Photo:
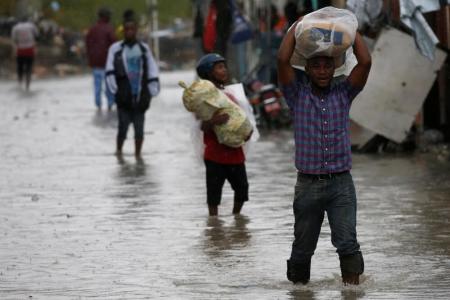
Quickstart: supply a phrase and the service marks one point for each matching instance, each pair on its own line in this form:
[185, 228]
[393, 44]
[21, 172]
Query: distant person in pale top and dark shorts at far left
[24, 35]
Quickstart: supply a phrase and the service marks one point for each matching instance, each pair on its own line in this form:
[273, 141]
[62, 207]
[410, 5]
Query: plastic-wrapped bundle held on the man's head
[328, 31]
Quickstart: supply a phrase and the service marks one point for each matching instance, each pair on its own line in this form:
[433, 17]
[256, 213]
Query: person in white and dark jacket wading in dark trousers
[132, 75]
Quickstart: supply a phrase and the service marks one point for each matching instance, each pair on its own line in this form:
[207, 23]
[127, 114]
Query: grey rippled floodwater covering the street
[78, 223]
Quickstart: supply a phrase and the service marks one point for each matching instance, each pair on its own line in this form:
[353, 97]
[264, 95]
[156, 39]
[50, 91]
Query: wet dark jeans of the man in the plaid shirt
[313, 197]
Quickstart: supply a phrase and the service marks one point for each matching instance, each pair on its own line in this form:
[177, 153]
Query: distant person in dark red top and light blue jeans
[98, 40]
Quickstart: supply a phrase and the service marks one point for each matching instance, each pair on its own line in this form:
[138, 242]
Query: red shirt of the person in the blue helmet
[219, 153]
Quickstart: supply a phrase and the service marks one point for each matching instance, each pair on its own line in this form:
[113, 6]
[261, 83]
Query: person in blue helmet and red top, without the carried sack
[221, 162]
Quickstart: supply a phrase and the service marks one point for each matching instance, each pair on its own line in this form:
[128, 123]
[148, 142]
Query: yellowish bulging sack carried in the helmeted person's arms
[205, 100]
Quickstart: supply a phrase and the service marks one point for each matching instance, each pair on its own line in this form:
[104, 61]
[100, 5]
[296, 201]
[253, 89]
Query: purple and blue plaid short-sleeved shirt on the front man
[321, 125]
